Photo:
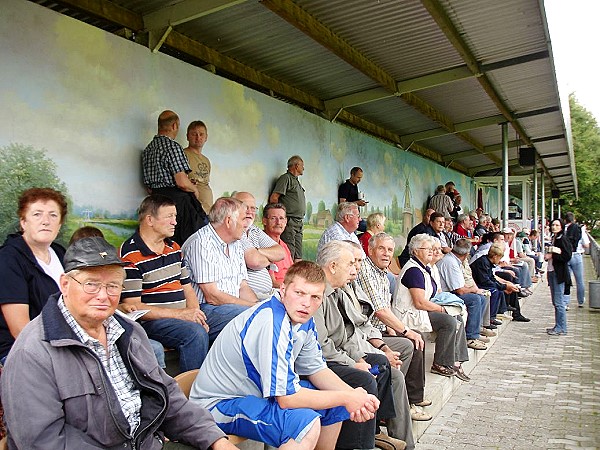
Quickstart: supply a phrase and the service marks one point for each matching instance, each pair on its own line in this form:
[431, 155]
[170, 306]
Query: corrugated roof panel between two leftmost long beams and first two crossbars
[254, 36]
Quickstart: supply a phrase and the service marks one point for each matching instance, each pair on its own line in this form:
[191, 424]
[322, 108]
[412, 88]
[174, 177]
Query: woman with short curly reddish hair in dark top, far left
[30, 262]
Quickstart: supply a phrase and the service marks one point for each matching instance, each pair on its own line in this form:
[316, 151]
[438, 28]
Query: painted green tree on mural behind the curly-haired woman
[23, 167]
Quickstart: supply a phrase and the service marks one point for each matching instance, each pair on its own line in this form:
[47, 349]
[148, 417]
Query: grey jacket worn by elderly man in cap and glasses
[56, 394]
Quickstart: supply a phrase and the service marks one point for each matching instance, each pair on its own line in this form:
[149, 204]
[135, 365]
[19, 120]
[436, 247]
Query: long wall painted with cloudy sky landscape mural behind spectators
[80, 104]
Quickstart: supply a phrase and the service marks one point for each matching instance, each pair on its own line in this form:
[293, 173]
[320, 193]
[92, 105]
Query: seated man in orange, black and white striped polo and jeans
[158, 280]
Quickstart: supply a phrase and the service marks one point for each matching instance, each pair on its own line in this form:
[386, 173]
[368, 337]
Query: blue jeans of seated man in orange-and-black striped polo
[188, 338]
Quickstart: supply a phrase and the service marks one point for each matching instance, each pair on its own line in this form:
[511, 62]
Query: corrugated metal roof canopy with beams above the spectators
[436, 77]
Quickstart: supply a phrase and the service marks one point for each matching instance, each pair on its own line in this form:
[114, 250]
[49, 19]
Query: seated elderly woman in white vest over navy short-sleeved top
[412, 305]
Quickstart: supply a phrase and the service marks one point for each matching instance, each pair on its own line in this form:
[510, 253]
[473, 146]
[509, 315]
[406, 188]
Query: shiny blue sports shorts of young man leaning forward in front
[263, 420]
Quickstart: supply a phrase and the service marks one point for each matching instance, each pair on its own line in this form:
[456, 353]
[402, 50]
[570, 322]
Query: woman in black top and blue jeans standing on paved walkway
[558, 255]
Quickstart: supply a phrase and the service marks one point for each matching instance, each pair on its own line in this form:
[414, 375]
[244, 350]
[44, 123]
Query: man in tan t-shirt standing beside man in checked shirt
[197, 135]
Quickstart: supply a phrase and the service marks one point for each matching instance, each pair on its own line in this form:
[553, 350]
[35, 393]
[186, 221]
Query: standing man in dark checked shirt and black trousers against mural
[165, 168]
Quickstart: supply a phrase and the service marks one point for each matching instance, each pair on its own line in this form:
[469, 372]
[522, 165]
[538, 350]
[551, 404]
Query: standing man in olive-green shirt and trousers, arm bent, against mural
[290, 193]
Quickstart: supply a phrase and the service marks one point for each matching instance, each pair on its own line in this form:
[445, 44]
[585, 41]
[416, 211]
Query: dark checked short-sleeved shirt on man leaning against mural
[161, 160]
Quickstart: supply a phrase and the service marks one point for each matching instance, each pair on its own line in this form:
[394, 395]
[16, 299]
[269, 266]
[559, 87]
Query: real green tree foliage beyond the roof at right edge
[586, 145]
